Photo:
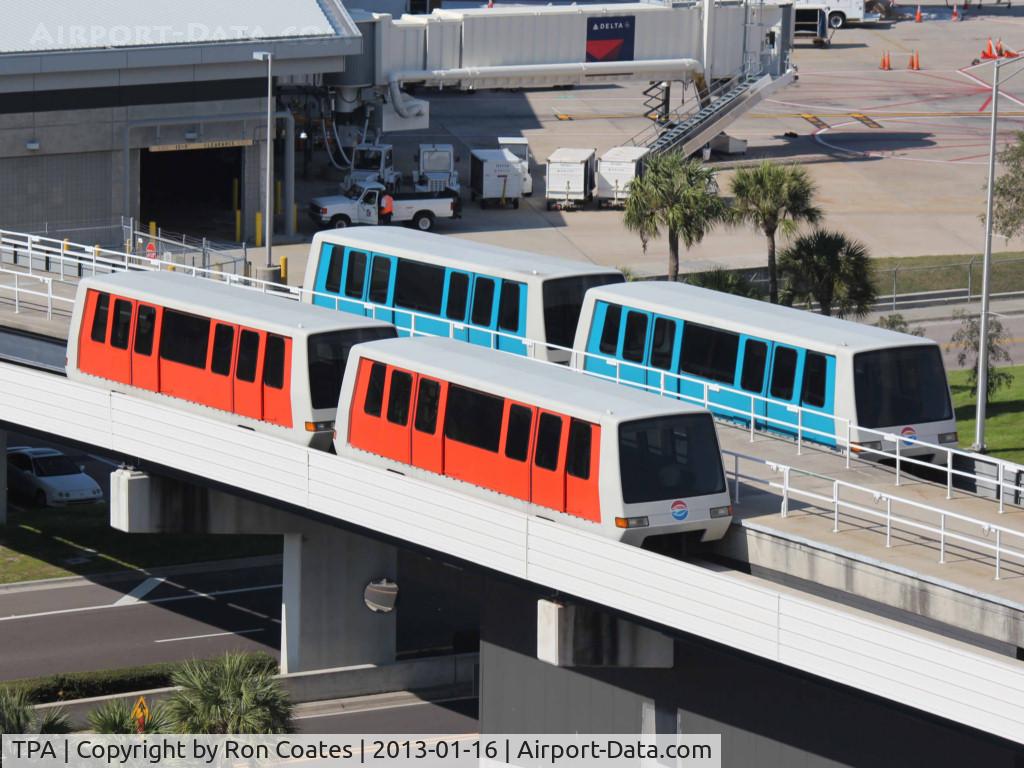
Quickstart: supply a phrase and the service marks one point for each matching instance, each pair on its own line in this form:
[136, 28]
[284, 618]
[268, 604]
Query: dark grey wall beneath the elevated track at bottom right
[770, 716]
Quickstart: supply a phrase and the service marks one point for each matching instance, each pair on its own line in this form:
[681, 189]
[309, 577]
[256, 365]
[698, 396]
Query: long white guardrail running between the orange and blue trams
[68, 260]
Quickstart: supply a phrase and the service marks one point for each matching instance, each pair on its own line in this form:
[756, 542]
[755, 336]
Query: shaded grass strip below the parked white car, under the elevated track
[46, 544]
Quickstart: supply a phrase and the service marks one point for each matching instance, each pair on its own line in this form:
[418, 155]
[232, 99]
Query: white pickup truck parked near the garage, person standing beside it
[362, 206]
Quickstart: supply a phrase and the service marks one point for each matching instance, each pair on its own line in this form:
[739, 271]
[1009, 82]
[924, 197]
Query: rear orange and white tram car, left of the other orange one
[264, 363]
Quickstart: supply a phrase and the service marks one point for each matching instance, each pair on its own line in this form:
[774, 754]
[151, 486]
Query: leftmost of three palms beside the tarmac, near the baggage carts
[678, 195]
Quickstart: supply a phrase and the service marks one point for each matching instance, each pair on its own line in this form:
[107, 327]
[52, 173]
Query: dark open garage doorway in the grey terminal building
[191, 191]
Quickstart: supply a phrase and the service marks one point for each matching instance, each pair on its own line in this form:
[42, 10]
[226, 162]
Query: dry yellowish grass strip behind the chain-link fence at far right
[919, 274]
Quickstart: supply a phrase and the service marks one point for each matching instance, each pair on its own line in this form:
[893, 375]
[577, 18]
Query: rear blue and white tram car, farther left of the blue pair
[443, 286]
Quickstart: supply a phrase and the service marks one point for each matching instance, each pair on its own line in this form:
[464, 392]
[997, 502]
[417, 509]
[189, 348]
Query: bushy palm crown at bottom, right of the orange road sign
[234, 695]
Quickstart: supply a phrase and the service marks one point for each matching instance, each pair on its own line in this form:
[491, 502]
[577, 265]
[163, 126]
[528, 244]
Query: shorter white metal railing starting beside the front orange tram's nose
[992, 541]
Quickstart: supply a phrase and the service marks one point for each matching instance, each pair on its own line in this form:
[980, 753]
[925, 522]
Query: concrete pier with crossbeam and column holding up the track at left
[326, 621]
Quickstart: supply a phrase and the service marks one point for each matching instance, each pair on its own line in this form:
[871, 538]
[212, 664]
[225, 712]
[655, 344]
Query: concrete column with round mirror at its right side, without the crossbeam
[325, 621]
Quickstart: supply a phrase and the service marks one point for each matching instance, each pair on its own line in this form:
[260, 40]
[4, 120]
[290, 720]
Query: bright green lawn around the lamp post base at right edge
[1004, 433]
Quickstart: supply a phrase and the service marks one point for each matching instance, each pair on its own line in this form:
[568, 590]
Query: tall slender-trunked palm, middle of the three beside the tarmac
[773, 198]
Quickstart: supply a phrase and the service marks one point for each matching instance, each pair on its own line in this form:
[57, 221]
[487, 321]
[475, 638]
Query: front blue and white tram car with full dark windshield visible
[785, 368]
